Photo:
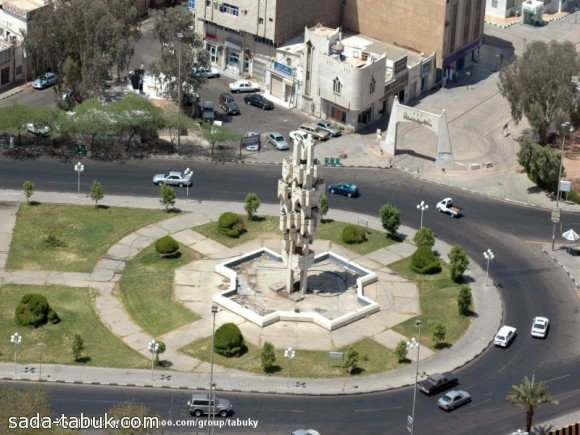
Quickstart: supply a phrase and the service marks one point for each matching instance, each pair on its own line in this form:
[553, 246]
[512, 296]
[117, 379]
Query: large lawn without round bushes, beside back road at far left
[71, 238]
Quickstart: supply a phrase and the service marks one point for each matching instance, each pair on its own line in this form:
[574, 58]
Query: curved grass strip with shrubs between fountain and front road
[306, 364]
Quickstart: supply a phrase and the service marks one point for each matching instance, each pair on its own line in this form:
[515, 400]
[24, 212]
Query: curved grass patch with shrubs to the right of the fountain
[438, 301]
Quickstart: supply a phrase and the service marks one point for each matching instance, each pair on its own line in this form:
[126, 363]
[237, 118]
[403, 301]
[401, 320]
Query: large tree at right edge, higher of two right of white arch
[536, 90]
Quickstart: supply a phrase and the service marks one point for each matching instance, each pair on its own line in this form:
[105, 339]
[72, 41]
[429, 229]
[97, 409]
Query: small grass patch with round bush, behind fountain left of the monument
[260, 226]
